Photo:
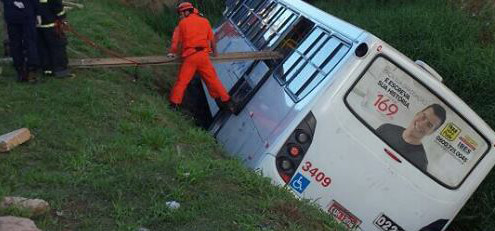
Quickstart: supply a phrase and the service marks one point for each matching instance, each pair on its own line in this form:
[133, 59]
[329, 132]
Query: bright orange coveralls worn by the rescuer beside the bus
[193, 35]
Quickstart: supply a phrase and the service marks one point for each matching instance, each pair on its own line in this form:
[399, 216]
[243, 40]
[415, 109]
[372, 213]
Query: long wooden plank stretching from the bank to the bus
[163, 60]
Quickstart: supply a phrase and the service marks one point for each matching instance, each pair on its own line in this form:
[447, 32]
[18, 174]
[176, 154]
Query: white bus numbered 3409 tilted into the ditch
[346, 120]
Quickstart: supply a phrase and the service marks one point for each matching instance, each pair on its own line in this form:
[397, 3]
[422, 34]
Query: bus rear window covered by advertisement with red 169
[415, 123]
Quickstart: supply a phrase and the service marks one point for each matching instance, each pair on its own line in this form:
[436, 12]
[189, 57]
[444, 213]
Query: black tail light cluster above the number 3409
[292, 153]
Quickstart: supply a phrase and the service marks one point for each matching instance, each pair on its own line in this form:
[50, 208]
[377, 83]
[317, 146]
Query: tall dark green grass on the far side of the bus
[459, 44]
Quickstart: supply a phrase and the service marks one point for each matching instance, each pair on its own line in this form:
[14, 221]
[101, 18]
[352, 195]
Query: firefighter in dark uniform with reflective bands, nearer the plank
[52, 40]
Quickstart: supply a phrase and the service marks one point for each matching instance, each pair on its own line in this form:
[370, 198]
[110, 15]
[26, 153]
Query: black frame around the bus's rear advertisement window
[441, 99]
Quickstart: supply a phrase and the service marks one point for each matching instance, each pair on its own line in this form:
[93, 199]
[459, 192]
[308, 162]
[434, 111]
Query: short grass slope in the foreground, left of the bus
[108, 153]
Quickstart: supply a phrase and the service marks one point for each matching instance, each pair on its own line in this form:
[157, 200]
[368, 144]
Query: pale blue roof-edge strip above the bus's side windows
[342, 27]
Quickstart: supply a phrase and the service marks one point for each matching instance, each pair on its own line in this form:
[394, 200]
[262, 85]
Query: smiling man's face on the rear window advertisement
[425, 123]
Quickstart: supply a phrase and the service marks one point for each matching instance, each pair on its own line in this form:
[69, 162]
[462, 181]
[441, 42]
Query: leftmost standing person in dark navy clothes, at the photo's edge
[20, 16]
